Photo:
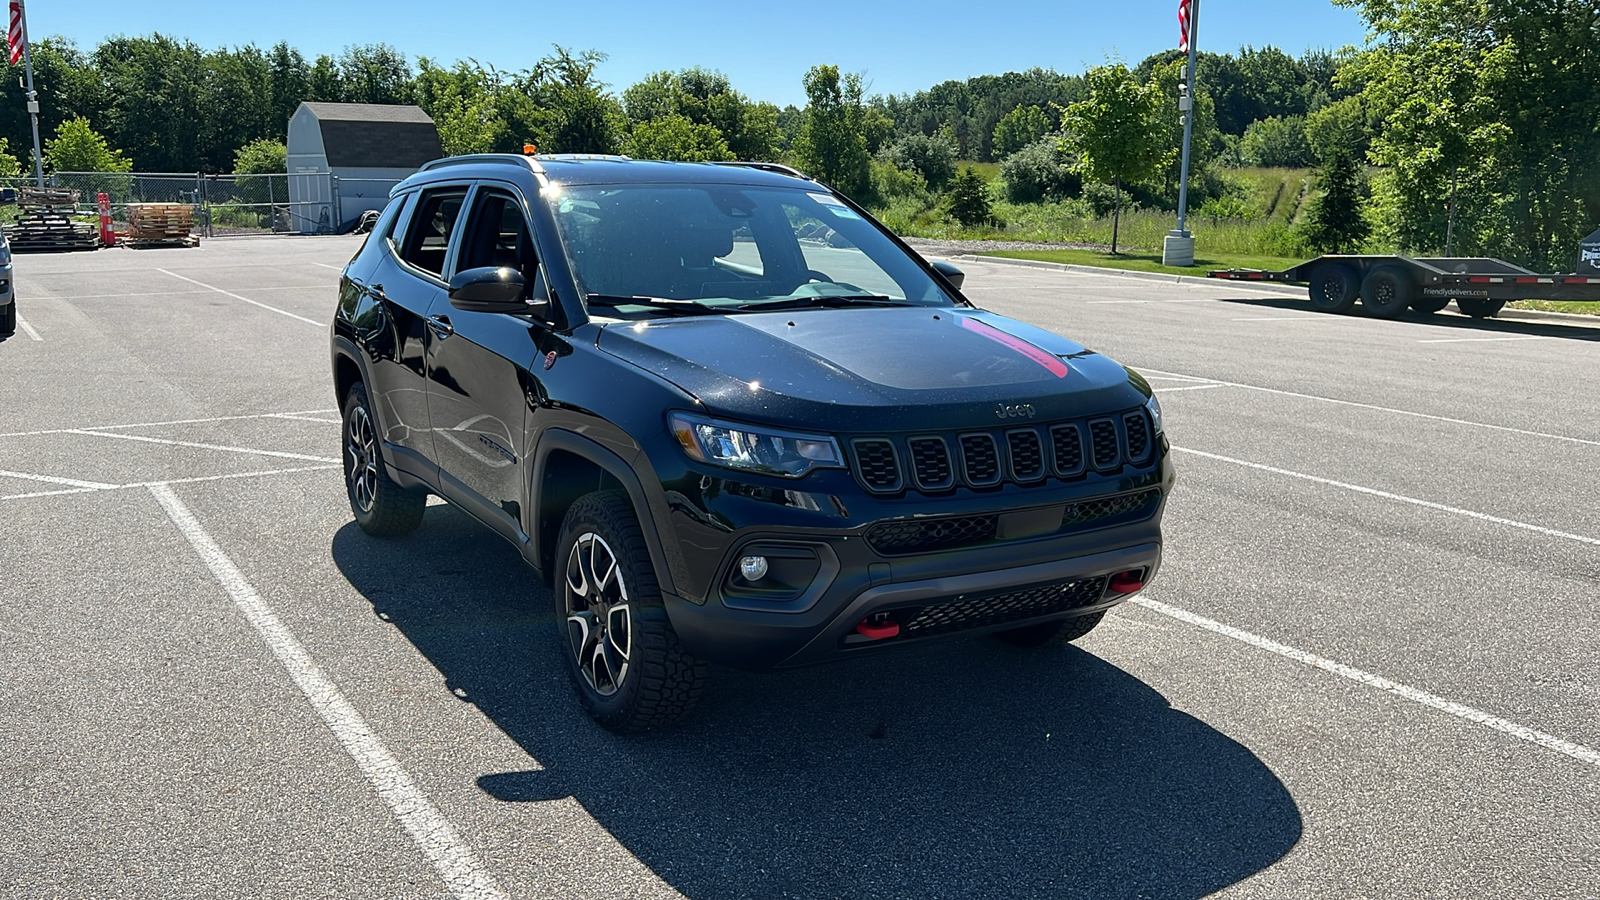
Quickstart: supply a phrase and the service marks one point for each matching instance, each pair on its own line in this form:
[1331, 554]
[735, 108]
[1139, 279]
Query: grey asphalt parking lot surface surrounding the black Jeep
[1367, 670]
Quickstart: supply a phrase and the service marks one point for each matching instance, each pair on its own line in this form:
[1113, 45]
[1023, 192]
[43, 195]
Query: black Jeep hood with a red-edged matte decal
[876, 369]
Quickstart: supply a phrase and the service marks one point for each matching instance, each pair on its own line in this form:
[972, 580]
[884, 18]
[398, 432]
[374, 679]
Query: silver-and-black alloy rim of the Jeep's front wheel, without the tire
[599, 616]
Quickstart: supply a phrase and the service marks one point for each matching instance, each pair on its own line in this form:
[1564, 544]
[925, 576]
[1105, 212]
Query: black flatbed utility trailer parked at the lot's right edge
[1388, 286]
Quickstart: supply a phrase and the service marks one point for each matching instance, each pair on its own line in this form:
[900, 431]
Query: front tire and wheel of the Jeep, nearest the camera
[606, 584]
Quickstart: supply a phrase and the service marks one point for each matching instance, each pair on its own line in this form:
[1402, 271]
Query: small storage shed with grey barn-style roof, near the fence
[345, 158]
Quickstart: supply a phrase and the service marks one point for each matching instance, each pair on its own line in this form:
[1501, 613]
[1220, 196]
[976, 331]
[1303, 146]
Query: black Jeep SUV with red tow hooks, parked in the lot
[729, 417]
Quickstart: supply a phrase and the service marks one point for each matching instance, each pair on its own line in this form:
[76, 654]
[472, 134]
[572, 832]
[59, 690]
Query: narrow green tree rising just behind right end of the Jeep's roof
[833, 147]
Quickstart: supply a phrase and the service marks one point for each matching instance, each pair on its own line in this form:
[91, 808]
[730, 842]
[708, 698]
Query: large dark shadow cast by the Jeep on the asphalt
[959, 769]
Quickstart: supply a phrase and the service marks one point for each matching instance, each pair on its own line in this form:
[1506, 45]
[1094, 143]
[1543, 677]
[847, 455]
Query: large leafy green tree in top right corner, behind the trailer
[1489, 118]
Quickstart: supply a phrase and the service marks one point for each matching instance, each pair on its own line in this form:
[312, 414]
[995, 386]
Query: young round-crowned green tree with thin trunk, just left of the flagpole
[1116, 132]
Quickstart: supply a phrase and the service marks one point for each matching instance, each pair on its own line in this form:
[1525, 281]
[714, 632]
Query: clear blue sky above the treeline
[766, 49]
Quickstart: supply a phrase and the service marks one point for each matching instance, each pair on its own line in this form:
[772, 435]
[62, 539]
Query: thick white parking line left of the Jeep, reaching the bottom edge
[434, 835]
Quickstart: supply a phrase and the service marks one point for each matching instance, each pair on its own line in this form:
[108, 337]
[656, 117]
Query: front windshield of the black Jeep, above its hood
[732, 247]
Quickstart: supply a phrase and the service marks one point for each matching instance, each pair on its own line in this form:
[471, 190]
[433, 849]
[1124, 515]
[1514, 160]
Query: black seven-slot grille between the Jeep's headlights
[1020, 456]
